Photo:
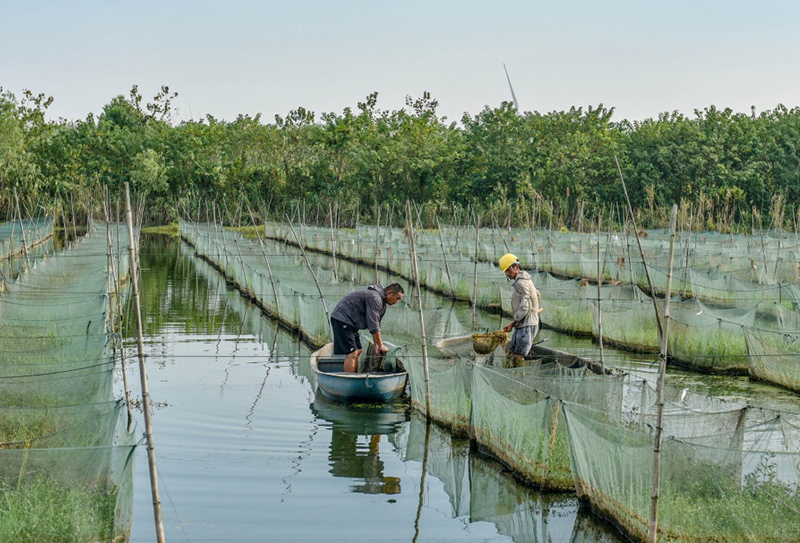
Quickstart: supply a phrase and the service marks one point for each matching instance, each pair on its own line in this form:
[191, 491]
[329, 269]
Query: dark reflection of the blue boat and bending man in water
[356, 434]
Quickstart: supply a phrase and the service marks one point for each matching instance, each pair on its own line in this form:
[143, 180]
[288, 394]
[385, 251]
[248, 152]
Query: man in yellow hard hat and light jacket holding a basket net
[525, 309]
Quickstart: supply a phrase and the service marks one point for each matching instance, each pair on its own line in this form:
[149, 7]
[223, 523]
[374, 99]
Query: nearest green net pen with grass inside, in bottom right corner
[707, 492]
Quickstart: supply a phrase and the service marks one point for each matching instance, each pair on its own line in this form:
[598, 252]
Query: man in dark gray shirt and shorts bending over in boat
[361, 310]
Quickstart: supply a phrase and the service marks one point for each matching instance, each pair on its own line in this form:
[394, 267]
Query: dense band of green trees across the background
[722, 167]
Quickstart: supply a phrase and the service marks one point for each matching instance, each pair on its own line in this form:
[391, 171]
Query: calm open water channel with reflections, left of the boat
[247, 452]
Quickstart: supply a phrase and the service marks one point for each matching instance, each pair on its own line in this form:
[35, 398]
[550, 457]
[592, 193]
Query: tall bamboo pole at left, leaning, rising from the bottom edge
[148, 423]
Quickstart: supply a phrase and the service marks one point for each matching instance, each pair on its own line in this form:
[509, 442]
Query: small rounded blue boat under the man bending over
[339, 385]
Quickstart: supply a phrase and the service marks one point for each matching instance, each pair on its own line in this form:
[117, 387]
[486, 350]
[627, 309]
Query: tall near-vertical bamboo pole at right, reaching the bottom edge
[662, 370]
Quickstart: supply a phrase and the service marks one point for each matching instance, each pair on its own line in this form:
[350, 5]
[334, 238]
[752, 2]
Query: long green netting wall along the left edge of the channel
[65, 454]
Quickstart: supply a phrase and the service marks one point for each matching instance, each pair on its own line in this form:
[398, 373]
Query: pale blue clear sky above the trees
[230, 57]
